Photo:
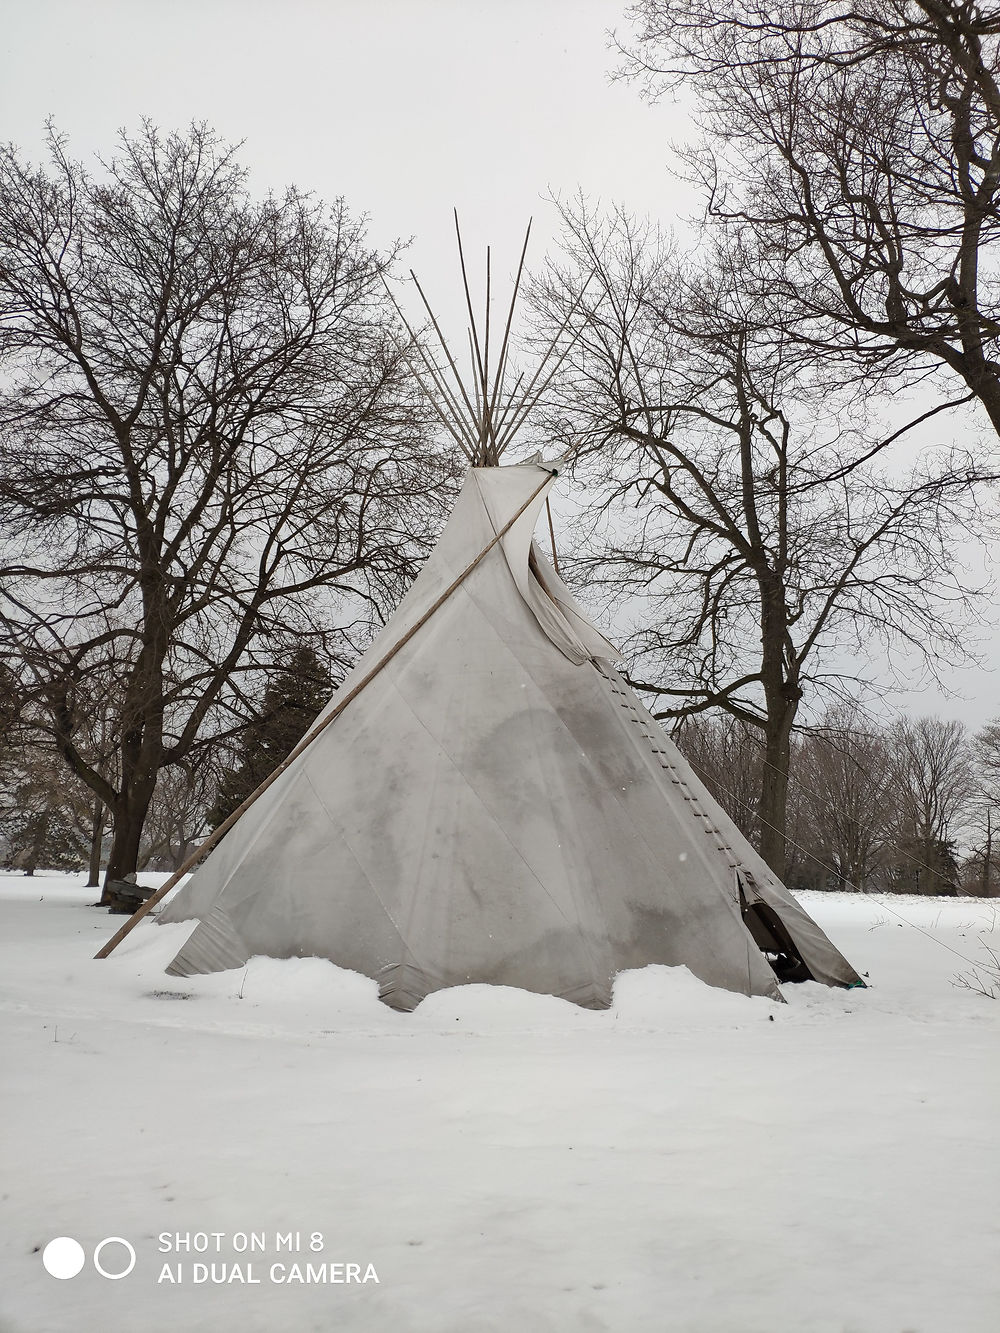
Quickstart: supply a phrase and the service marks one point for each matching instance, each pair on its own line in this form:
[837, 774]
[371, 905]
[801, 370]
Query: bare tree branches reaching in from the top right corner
[859, 146]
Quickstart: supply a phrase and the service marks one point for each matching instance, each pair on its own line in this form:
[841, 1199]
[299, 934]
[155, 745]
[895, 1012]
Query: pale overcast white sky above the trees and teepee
[405, 107]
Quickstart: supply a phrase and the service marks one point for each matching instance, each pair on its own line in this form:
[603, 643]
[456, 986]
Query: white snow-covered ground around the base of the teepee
[691, 1160]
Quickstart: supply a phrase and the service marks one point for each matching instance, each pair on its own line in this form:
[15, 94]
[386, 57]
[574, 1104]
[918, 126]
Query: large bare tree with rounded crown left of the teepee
[209, 446]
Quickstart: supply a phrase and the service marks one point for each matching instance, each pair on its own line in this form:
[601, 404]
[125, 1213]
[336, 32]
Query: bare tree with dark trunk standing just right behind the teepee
[759, 519]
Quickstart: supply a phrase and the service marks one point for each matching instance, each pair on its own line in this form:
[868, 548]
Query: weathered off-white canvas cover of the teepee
[495, 807]
